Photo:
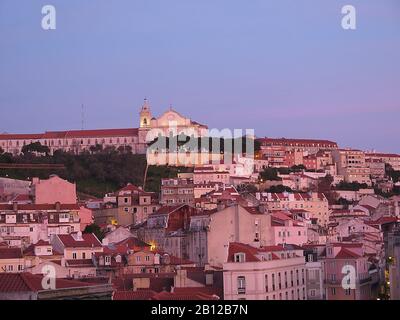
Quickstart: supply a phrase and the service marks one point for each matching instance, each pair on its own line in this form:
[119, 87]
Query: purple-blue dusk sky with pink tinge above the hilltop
[285, 68]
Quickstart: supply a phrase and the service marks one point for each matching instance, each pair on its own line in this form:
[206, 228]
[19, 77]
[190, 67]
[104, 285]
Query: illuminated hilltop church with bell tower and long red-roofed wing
[78, 141]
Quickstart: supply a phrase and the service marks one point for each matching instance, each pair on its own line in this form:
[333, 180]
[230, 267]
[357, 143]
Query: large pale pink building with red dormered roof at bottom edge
[264, 273]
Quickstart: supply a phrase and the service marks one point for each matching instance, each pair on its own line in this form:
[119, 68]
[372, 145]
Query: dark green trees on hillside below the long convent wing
[95, 172]
